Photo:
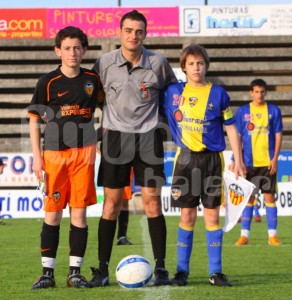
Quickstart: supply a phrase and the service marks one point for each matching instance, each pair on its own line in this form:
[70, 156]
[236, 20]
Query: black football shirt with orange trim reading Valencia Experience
[67, 106]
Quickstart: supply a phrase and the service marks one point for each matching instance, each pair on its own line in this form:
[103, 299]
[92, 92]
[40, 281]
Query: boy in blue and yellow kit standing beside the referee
[196, 112]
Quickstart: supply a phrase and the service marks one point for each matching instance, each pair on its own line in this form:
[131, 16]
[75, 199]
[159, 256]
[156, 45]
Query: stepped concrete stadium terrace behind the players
[235, 61]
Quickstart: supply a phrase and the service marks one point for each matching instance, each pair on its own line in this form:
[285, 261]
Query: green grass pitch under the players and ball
[257, 271]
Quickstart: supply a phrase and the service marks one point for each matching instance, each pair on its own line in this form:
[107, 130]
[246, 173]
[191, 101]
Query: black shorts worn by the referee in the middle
[120, 151]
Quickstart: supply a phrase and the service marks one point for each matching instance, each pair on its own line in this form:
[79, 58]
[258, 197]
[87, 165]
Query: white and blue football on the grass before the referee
[133, 271]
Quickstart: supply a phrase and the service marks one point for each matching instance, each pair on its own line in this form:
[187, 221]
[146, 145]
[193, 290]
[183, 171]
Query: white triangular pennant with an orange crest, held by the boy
[237, 193]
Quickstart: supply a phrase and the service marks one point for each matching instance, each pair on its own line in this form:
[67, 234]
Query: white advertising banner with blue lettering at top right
[235, 20]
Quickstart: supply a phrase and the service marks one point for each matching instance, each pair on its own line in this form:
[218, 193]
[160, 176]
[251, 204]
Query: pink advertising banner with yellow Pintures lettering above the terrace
[105, 22]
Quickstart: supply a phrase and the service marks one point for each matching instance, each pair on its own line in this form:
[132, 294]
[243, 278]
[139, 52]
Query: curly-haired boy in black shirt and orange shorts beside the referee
[65, 100]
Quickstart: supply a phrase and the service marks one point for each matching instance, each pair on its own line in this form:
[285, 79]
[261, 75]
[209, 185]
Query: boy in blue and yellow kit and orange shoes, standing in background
[260, 128]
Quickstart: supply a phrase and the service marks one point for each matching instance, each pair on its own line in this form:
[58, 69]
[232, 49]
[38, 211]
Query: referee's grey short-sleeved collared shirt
[132, 94]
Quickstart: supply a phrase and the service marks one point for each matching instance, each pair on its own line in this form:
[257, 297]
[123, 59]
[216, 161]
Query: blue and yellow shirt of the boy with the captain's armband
[196, 115]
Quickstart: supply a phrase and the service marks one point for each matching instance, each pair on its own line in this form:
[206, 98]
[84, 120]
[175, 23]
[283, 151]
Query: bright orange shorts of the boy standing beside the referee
[69, 178]
